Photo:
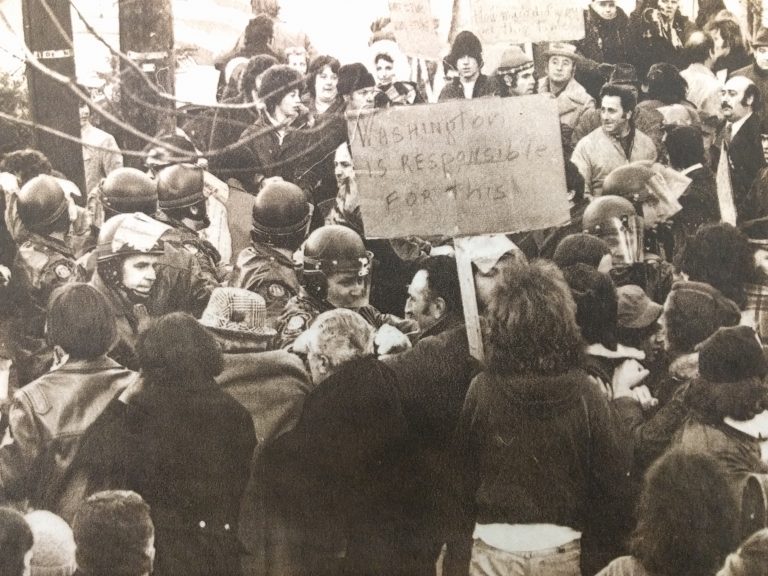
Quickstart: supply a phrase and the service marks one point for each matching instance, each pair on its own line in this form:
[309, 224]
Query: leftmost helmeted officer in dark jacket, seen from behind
[44, 261]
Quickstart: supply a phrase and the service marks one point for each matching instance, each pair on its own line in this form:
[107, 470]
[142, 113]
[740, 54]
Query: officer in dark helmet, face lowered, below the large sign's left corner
[335, 273]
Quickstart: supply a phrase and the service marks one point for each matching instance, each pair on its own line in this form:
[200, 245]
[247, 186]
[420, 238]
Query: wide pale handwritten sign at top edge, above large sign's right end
[528, 20]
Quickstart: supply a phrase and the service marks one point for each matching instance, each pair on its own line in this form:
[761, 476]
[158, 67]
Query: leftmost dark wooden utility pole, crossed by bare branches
[53, 104]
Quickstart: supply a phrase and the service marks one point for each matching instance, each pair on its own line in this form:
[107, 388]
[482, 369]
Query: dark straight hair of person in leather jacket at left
[81, 321]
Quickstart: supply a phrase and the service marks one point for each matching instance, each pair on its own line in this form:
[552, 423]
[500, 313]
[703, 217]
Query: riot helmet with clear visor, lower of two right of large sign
[614, 220]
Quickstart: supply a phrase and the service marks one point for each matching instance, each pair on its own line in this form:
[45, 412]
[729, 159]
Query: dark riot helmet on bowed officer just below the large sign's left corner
[331, 249]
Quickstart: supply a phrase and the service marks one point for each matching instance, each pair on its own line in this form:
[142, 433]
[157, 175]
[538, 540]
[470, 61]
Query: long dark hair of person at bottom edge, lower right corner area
[687, 516]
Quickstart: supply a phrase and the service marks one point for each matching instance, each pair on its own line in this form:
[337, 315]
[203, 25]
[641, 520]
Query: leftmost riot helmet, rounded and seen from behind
[42, 205]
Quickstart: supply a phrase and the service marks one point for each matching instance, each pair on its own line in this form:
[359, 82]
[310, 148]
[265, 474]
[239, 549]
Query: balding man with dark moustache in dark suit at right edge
[739, 101]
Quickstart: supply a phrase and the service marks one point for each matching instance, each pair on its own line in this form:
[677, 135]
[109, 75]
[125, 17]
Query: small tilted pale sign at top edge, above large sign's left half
[415, 28]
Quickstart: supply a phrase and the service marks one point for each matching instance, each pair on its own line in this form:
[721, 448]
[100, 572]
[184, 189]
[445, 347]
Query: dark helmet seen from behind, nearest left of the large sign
[281, 215]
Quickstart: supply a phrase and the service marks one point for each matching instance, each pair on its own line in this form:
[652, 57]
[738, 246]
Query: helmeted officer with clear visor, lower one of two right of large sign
[615, 220]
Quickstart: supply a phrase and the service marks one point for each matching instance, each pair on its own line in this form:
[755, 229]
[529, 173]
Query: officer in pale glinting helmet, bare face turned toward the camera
[130, 247]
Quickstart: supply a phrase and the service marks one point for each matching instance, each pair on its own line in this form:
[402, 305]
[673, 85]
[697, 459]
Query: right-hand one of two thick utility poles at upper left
[146, 37]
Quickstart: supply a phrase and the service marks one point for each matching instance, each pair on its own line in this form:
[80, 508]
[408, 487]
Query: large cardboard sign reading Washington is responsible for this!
[460, 168]
